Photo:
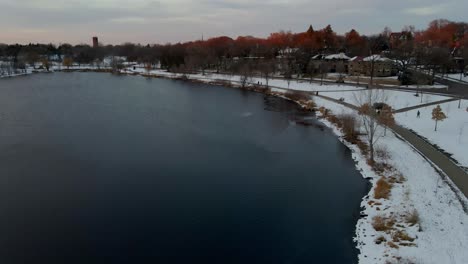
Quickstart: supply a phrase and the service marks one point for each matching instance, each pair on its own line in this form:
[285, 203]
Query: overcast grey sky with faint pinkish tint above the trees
[161, 21]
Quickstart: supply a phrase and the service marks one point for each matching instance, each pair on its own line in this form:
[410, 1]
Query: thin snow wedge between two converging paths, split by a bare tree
[396, 99]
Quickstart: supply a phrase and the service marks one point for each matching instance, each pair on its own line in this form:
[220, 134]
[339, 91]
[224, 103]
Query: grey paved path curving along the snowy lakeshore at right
[458, 176]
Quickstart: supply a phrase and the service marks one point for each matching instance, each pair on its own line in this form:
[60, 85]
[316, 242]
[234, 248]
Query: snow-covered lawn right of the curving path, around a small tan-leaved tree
[451, 134]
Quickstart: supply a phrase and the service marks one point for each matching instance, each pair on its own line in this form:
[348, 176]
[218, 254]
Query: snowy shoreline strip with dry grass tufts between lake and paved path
[442, 233]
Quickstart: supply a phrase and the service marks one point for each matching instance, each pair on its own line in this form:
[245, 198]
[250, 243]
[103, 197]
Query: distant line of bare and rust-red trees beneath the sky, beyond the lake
[434, 47]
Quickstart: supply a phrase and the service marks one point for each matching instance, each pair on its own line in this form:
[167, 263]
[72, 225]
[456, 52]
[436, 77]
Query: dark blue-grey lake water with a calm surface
[96, 168]
